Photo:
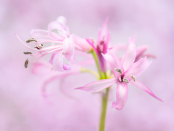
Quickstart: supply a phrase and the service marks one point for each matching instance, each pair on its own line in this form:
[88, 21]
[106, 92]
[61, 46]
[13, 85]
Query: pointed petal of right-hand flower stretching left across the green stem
[97, 85]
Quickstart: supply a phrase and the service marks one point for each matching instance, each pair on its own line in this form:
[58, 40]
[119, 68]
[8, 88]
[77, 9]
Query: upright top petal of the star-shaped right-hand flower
[130, 55]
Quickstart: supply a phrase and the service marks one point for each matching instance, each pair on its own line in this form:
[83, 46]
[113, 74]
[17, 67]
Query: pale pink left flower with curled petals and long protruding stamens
[62, 44]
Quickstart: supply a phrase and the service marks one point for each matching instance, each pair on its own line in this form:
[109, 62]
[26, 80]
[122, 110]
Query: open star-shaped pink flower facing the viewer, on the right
[125, 71]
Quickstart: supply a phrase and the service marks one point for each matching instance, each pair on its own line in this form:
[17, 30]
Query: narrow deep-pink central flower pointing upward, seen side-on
[102, 44]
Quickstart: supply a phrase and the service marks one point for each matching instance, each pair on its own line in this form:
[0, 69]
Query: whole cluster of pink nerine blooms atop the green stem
[62, 46]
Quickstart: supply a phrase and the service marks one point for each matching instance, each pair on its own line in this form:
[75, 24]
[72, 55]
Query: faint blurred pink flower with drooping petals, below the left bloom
[43, 69]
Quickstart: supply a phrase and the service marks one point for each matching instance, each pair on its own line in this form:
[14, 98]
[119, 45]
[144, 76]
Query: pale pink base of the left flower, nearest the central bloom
[82, 43]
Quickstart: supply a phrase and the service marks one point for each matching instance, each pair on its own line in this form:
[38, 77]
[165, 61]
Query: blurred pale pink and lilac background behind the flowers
[22, 107]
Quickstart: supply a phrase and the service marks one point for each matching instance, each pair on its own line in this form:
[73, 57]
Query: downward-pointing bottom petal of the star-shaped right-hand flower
[121, 96]
